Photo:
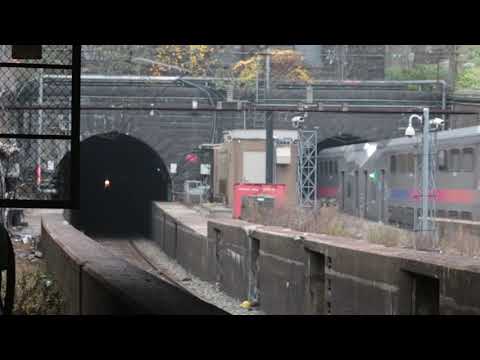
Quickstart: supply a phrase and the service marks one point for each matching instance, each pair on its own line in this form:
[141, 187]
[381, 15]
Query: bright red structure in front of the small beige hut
[277, 191]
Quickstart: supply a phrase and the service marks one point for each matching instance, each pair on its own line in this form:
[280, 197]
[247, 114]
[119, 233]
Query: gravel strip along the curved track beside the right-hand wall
[202, 289]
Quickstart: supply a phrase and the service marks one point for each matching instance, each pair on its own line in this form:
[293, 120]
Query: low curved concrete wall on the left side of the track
[94, 281]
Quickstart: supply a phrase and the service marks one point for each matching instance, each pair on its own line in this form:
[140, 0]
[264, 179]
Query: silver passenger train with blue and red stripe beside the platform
[380, 181]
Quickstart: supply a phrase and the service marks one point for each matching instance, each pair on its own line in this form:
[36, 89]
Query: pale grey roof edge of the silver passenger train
[400, 142]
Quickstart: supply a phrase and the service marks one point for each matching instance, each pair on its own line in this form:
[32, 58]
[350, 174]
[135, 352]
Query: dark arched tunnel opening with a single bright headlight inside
[119, 177]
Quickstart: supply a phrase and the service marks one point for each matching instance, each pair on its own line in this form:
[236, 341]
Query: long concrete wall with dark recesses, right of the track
[296, 273]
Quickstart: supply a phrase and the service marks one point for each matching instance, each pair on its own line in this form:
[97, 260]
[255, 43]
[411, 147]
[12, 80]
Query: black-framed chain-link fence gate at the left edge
[39, 126]
